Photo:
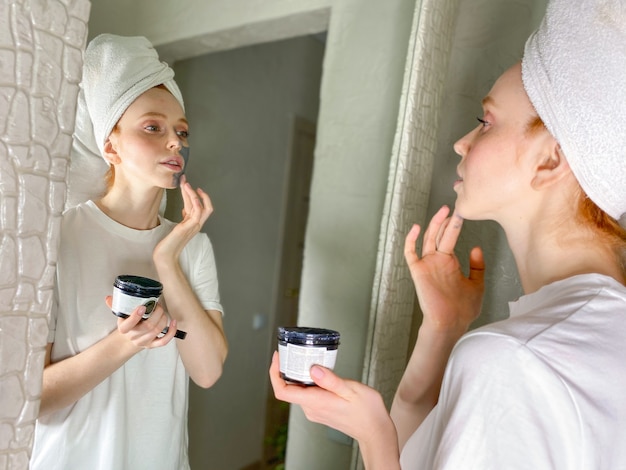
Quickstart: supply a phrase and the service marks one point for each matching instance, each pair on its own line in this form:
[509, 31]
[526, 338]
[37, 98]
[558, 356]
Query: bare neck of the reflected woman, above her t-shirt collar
[140, 212]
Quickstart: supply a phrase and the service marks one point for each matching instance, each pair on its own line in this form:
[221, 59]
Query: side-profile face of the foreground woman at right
[496, 165]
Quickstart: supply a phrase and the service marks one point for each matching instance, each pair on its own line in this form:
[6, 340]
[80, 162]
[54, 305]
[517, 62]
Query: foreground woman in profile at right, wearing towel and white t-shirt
[543, 389]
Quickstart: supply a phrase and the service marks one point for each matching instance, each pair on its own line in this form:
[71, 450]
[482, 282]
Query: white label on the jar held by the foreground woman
[296, 360]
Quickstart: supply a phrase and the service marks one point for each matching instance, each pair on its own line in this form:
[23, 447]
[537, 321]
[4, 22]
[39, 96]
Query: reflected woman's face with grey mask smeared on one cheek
[148, 141]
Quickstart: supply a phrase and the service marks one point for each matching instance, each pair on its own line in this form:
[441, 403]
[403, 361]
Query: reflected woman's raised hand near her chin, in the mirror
[196, 210]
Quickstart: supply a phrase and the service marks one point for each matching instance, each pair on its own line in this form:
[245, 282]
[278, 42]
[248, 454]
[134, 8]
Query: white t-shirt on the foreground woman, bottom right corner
[544, 389]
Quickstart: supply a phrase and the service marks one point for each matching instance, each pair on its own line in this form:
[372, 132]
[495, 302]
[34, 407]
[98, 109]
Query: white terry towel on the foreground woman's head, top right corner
[574, 71]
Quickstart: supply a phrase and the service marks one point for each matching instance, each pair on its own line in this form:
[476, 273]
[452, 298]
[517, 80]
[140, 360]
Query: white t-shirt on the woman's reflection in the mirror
[137, 417]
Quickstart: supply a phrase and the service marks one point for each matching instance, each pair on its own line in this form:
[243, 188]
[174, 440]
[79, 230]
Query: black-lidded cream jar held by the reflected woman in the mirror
[129, 292]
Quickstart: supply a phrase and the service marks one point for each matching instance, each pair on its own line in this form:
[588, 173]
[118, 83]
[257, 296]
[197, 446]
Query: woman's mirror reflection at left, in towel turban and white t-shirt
[115, 390]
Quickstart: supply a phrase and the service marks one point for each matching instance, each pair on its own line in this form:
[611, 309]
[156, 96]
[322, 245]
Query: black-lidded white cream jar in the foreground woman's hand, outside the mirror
[299, 348]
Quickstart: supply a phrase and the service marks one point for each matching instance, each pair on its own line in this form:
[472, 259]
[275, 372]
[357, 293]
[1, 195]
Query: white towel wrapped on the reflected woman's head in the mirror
[116, 71]
